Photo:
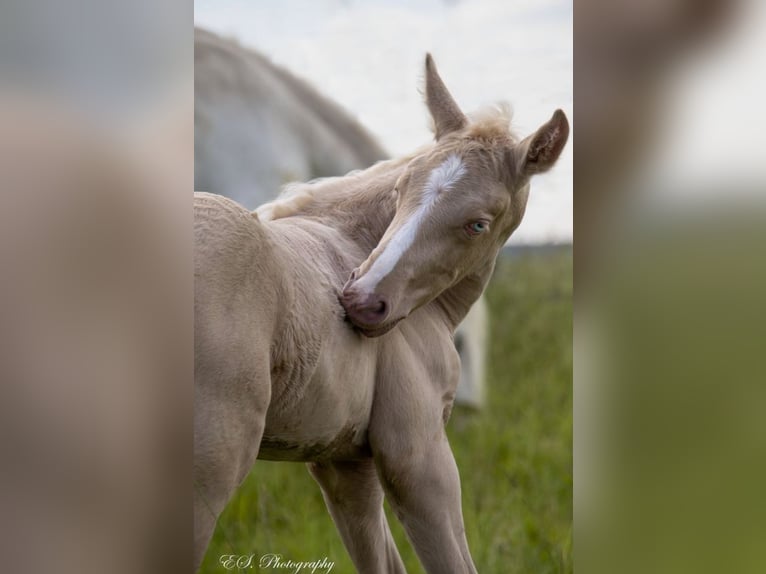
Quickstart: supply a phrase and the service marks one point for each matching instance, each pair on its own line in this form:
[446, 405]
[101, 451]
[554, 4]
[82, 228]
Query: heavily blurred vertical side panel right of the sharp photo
[669, 330]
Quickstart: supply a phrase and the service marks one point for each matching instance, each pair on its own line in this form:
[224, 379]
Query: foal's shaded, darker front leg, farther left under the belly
[354, 498]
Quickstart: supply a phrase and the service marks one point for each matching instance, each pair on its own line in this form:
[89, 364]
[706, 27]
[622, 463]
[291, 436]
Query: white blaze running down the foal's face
[440, 179]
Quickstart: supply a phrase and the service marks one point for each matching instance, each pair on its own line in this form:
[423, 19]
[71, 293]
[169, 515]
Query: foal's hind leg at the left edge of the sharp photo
[229, 420]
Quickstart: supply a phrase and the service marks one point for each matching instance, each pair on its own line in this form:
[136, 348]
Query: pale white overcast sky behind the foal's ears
[368, 55]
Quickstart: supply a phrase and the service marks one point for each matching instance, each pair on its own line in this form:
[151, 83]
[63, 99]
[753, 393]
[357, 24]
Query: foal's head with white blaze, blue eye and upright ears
[457, 204]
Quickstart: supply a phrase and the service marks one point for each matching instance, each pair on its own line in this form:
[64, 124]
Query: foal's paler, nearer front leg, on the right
[420, 477]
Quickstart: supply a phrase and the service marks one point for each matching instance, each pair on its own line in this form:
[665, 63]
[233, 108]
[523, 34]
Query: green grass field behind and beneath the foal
[515, 457]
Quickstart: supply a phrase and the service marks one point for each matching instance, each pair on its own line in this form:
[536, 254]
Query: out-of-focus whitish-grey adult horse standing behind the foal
[258, 127]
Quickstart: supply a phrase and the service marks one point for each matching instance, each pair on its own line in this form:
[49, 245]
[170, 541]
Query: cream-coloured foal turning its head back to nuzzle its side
[324, 330]
